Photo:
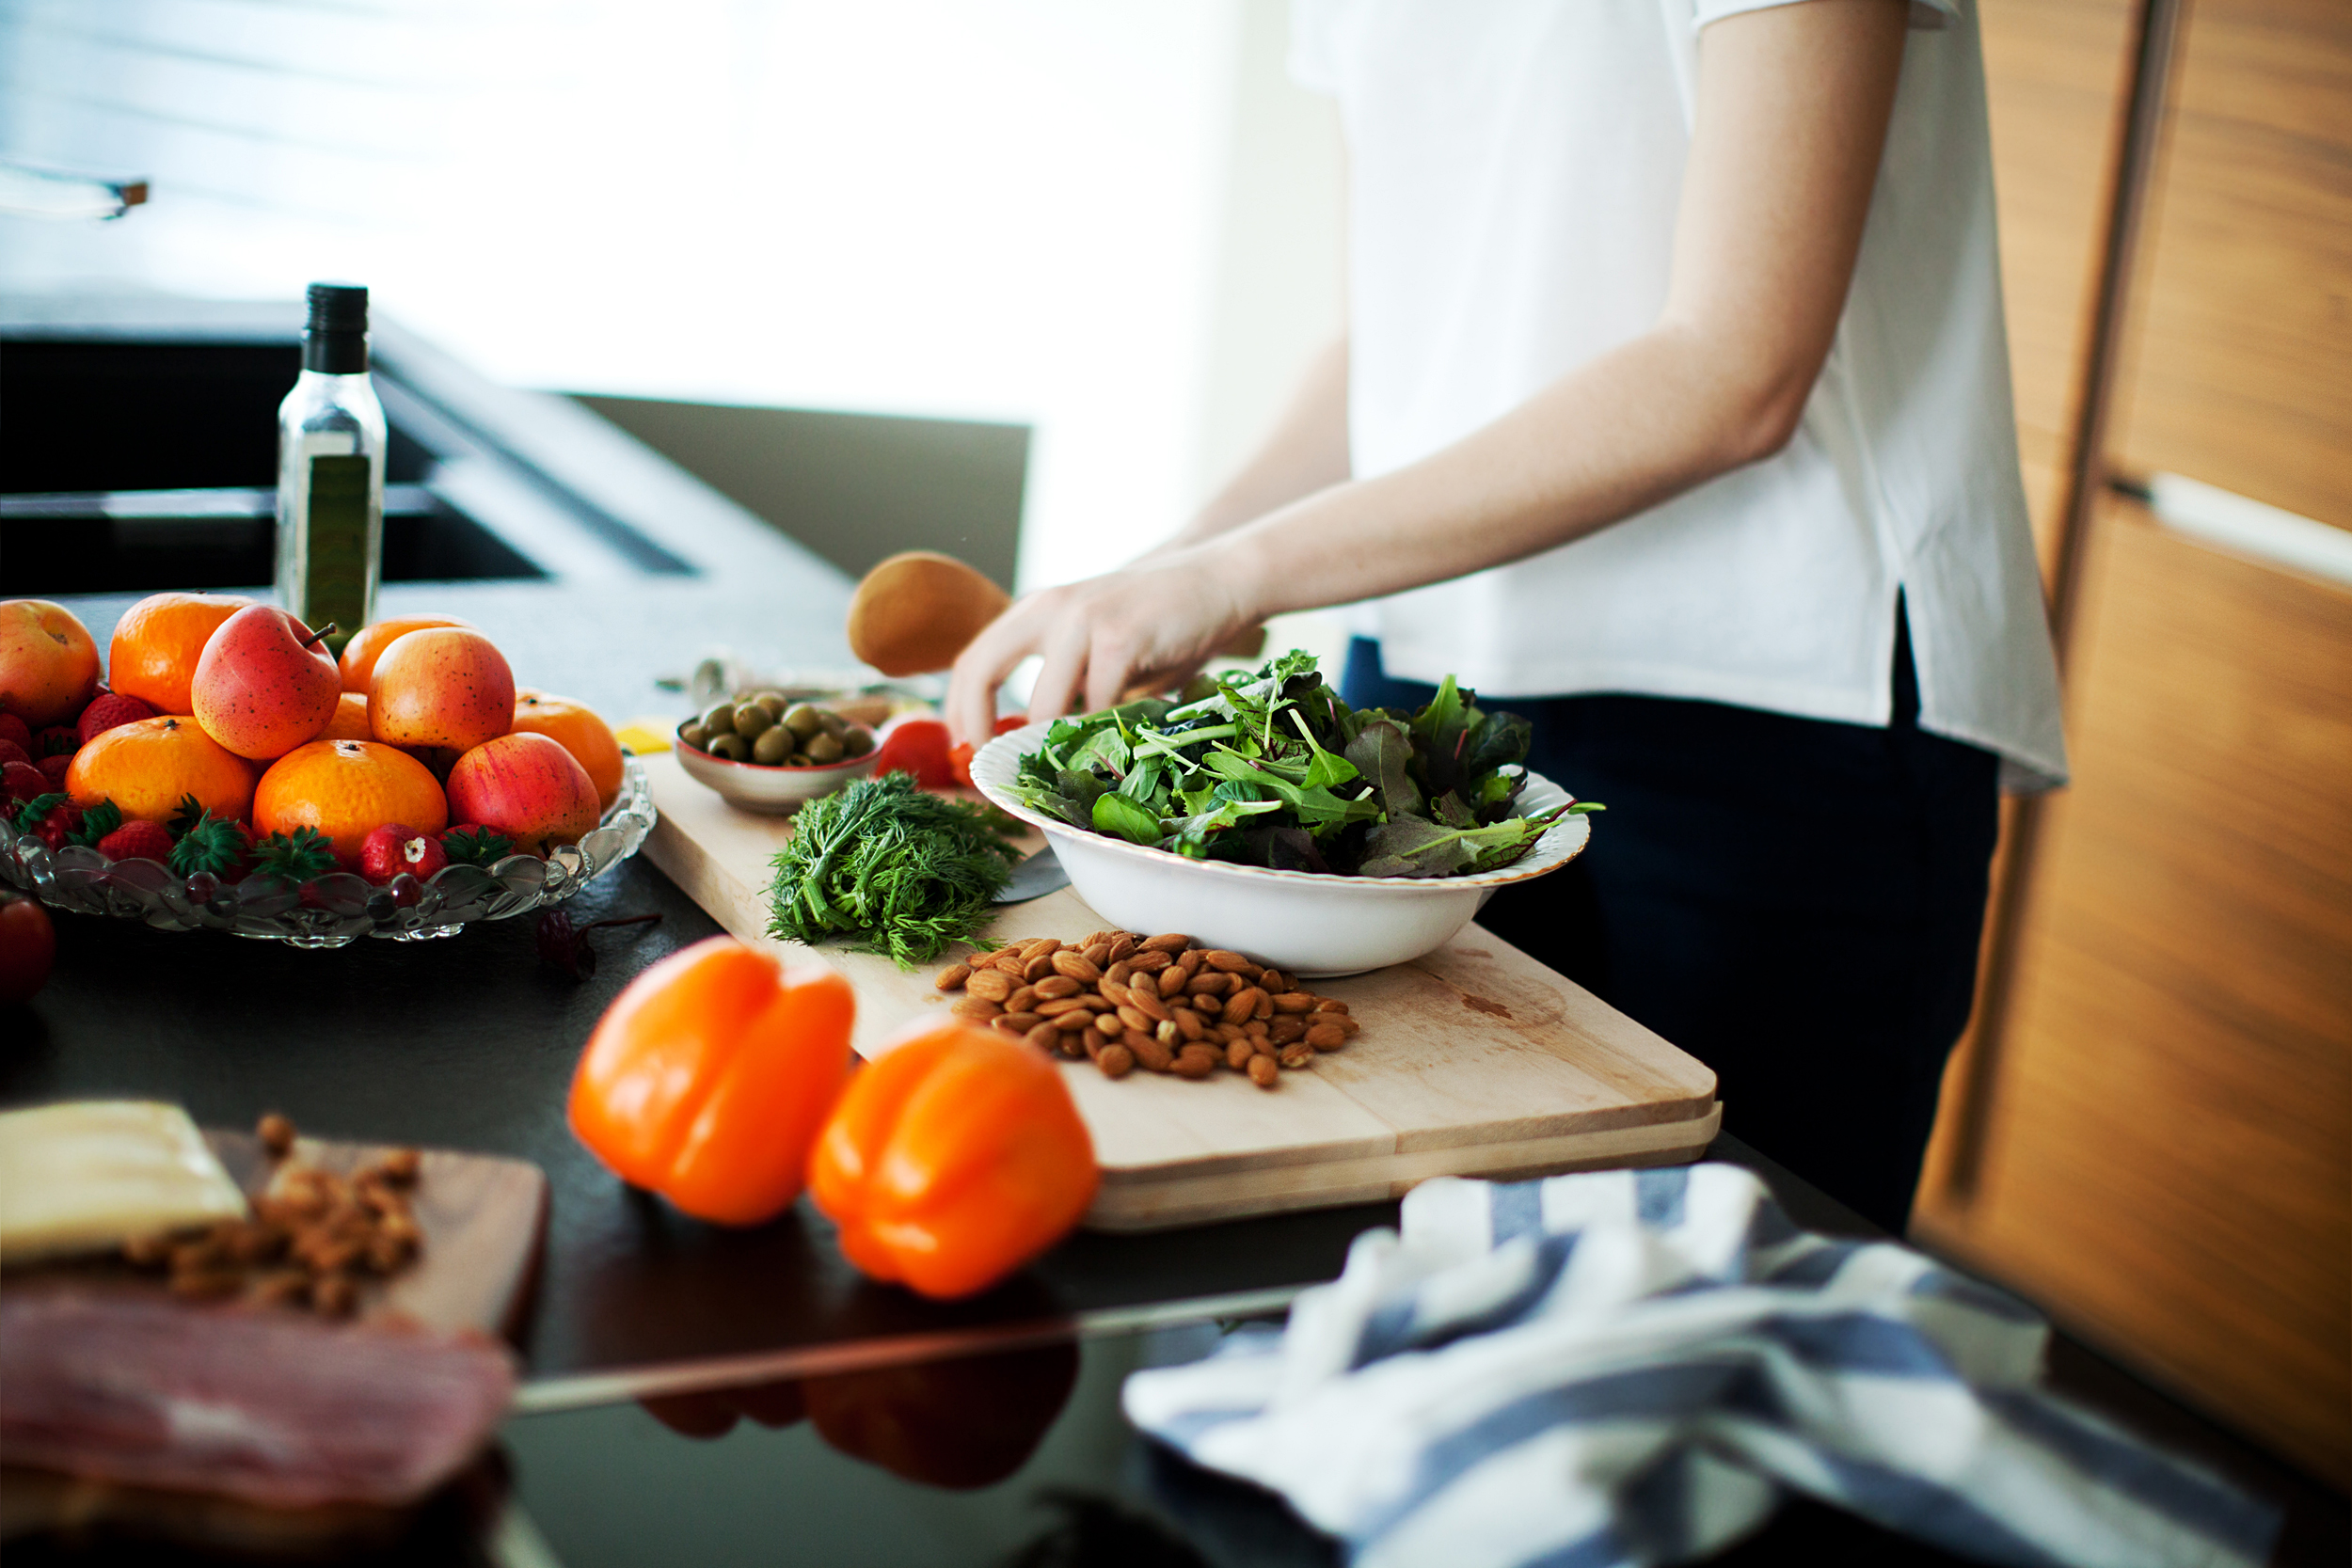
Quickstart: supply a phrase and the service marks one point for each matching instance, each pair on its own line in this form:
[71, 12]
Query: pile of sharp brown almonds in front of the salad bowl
[1154, 1003]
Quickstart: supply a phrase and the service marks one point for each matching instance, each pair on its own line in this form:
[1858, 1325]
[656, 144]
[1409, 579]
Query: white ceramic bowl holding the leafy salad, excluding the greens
[1302, 923]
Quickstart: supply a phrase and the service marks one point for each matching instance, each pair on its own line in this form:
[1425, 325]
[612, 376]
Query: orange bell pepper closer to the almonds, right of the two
[954, 1160]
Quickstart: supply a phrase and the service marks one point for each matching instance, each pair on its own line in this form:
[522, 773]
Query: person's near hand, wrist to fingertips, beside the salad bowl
[1154, 622]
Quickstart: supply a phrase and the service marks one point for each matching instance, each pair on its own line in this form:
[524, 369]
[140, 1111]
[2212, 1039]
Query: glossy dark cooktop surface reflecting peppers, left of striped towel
[1015, 1459]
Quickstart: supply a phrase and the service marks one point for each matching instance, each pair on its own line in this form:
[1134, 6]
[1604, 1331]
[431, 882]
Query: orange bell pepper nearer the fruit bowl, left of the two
[709, 1078]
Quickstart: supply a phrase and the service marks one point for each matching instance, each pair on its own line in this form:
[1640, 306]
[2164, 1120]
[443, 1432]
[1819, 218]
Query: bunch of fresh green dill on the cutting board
[902, 871]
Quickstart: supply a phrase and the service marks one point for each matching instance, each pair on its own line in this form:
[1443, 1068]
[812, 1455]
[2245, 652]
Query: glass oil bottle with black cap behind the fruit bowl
[330, 471]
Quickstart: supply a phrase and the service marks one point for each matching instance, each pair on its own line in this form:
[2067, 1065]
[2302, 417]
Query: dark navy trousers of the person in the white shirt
[1791, 902]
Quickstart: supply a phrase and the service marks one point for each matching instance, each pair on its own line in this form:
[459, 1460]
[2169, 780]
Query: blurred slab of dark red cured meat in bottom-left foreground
[269, 1407]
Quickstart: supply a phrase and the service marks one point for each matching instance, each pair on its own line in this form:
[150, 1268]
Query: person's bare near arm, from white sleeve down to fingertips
[1791, 119]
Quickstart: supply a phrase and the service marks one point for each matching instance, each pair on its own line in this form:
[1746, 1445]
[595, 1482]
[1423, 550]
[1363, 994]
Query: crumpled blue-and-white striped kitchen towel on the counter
[1633, 1367]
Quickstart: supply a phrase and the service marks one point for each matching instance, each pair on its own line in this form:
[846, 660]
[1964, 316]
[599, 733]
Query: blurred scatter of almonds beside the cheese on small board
[309, 1240]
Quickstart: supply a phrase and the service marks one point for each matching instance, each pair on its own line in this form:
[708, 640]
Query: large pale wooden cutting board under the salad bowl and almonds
[1474, 1061]
